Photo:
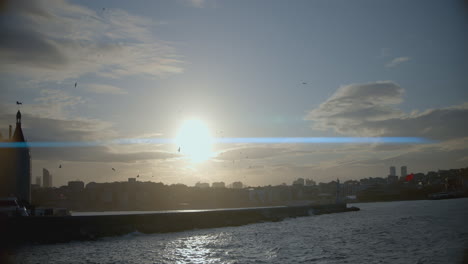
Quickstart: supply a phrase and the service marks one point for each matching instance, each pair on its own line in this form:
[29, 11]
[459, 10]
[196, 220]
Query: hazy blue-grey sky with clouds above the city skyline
[259, 69]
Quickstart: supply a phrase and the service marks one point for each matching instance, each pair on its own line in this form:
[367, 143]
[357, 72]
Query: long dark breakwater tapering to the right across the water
[52, 229]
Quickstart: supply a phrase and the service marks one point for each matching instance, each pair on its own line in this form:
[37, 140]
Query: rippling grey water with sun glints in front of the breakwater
[392, 232]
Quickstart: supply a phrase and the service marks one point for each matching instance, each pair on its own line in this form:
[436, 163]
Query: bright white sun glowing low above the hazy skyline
[195, 141]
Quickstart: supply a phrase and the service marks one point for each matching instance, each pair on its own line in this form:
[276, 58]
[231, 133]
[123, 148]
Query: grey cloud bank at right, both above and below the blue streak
[370, 109]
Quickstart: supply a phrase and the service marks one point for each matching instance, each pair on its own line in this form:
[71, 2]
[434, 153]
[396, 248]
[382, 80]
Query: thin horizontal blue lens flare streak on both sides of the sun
[252, 140]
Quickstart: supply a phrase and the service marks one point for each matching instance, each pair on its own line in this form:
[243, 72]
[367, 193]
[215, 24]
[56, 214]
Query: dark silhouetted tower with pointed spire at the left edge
[15, 165]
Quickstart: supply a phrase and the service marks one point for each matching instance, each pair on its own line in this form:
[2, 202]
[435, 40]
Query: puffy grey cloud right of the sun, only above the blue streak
[368, 110]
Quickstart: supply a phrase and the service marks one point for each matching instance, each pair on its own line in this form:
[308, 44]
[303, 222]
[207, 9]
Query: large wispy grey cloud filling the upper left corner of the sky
[55, 40]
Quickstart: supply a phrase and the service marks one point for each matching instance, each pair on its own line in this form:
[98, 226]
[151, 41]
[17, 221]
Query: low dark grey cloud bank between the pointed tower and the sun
[56, 130]
